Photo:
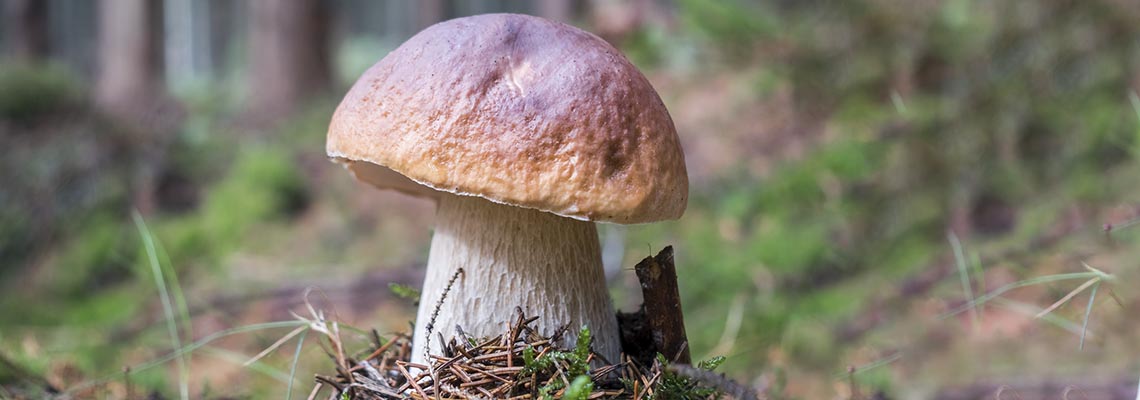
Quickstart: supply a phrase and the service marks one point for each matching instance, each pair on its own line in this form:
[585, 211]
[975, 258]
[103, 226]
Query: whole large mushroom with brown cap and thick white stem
[526, 132]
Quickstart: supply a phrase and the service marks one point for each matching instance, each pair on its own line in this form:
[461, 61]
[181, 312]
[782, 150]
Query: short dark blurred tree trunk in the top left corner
[26, 25]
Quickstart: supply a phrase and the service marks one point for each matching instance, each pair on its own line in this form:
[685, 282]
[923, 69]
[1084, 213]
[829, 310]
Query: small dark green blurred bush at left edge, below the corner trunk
[29, 92]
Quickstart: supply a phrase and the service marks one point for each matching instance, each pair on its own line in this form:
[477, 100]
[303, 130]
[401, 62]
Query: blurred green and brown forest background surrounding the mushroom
[861, 172]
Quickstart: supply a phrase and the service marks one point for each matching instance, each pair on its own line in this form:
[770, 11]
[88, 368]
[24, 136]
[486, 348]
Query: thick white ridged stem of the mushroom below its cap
[550, 266]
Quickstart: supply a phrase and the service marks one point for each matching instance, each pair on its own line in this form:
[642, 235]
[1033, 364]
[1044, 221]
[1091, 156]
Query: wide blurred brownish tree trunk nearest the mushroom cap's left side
[289, 58]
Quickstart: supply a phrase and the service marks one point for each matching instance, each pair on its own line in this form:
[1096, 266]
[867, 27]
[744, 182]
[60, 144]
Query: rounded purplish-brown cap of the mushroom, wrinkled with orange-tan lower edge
[520, 111]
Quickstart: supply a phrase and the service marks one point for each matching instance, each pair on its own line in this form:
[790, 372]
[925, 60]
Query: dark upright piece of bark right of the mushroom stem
[658, 279]
